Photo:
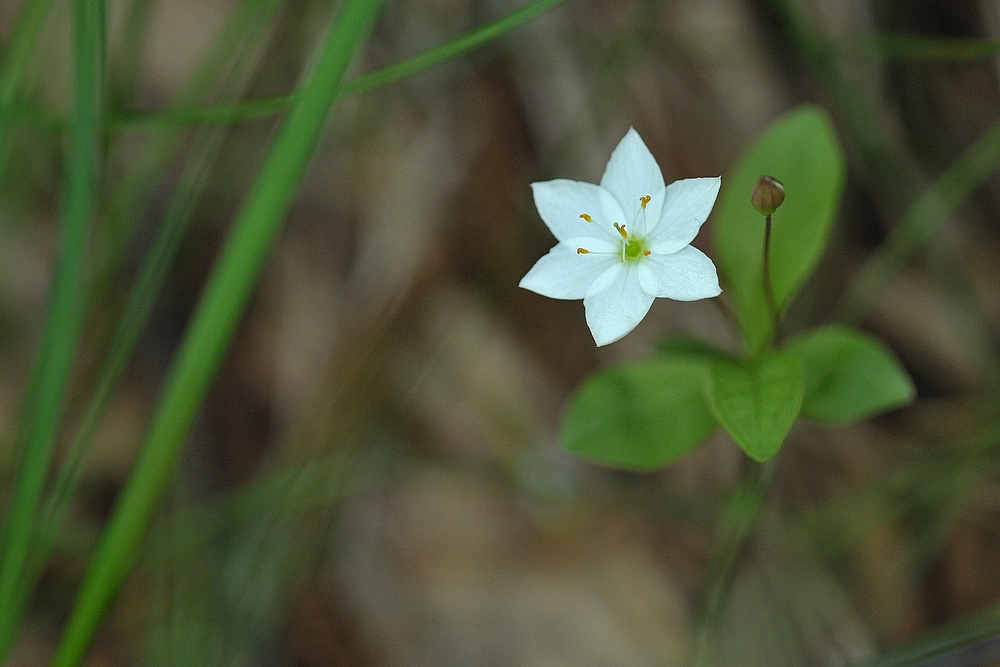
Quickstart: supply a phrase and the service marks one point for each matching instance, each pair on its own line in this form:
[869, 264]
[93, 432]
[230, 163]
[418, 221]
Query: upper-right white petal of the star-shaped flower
[686, 207]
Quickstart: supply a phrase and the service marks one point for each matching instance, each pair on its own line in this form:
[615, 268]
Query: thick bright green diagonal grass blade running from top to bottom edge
[213, 326]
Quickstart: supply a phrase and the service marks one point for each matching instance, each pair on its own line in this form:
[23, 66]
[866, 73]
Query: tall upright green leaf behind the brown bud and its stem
[801, 150]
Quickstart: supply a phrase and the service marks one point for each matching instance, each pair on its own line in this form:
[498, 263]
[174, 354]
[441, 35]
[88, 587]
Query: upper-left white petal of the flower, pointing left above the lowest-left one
[561, 202]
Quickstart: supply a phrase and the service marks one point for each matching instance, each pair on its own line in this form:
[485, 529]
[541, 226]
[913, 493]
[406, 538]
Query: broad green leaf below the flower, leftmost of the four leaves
[642, 415]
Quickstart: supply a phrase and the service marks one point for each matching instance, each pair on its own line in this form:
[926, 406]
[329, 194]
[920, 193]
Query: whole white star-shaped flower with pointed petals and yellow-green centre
[624, 242]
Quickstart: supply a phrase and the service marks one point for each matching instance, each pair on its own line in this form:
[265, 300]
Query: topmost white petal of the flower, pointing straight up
[632, 172]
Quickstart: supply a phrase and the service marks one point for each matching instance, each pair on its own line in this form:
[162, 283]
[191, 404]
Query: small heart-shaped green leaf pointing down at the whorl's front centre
[757, 401]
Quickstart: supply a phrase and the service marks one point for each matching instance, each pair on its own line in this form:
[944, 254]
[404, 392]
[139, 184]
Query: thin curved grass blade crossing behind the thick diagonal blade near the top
[227, 114]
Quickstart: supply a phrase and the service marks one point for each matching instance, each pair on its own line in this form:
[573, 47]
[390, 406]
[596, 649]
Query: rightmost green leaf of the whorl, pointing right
[849, 375]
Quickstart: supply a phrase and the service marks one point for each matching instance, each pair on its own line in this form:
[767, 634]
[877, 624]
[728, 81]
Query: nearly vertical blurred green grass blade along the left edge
[43, 407]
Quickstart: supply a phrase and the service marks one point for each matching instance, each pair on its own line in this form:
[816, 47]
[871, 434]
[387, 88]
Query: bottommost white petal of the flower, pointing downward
[616, 303]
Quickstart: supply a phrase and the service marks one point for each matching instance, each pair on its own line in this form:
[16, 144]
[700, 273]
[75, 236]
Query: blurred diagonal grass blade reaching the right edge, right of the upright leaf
[921, 221]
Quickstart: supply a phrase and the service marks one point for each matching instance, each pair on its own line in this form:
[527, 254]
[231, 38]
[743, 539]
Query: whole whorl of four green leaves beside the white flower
[648, 413]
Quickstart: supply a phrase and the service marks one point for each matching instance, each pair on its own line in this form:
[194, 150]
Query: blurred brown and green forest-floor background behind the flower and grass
[376, 478]
